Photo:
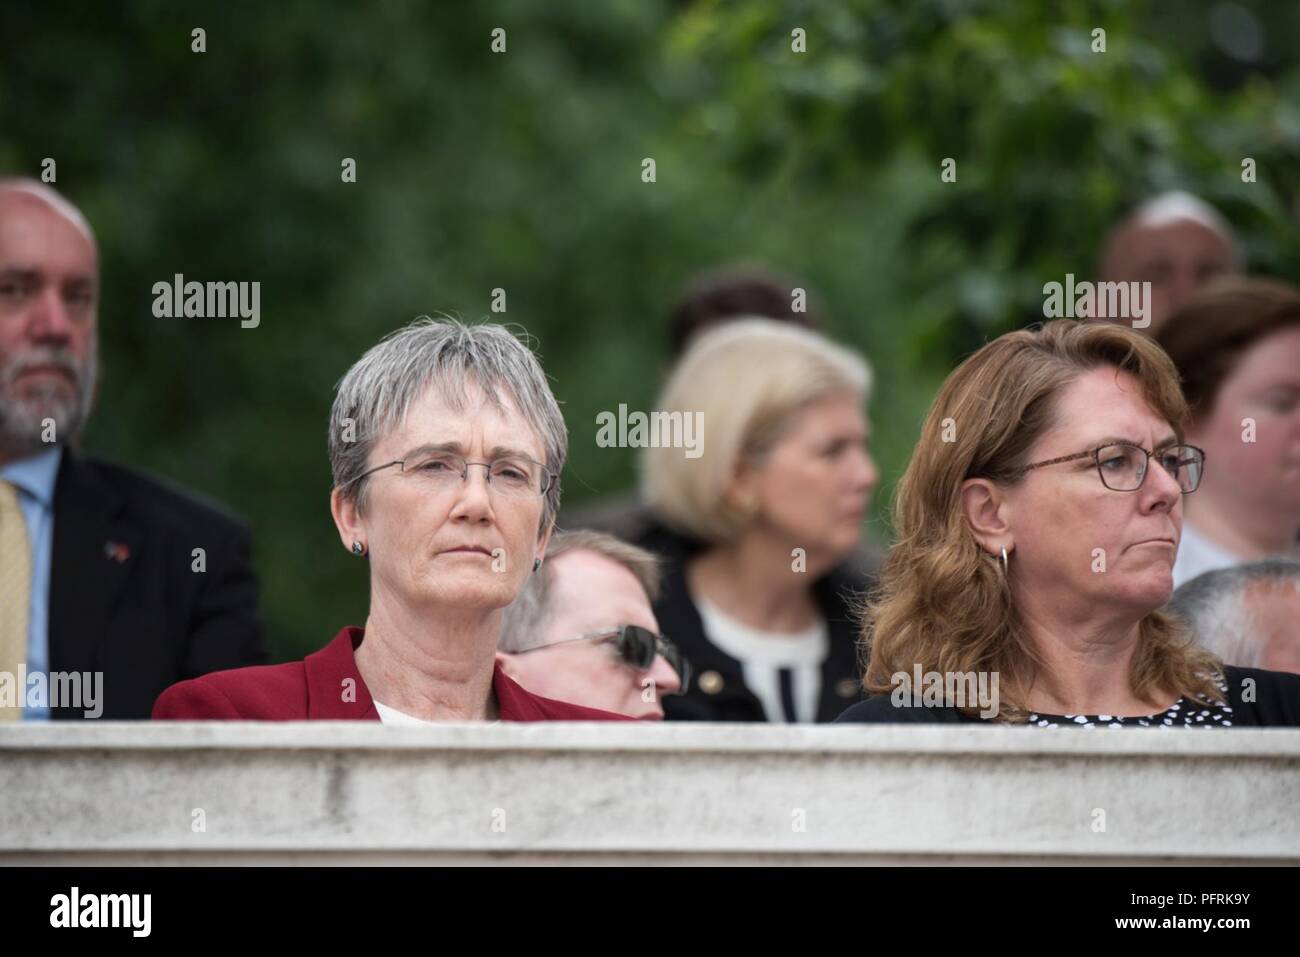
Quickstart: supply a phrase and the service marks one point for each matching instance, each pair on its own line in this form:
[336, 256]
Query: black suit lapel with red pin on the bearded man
[96, 547]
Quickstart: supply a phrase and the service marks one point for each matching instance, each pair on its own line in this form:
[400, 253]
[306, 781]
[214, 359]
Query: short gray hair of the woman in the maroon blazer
[444, 354]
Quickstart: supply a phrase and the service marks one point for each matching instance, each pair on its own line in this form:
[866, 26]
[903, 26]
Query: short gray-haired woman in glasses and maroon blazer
[447, 447]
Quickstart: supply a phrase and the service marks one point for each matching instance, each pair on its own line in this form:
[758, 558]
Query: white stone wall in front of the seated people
[348, 793]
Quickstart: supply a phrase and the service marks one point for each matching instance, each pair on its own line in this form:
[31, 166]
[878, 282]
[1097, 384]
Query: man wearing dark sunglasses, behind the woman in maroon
[583, 629]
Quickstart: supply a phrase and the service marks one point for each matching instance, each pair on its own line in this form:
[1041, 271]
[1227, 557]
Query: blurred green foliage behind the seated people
[523, 171]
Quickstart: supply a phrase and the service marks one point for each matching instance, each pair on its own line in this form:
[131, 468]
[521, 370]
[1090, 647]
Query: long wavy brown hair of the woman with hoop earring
[942, 603]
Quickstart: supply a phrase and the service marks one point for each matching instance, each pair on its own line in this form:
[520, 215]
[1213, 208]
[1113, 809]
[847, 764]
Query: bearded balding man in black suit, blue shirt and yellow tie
[114, 586]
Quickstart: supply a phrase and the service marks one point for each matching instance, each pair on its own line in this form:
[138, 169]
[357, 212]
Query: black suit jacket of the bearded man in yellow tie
[124, 597]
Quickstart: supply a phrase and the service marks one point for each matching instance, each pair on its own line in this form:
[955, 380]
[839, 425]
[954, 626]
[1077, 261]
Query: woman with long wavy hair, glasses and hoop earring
[1038, 526]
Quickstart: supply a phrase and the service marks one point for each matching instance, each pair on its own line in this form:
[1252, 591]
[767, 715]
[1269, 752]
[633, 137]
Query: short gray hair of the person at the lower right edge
[1215, 604]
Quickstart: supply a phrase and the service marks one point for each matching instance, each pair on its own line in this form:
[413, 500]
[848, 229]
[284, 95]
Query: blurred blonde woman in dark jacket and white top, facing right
[757, 526]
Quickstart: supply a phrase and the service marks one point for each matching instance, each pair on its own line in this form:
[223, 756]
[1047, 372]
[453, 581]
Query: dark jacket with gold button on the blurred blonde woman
[723, 696]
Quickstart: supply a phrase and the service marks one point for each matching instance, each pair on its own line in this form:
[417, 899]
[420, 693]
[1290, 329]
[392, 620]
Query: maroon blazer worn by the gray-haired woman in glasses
[315, 690]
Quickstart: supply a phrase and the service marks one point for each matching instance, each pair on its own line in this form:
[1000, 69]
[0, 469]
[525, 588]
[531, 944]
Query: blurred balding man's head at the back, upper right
[1175, 241]
